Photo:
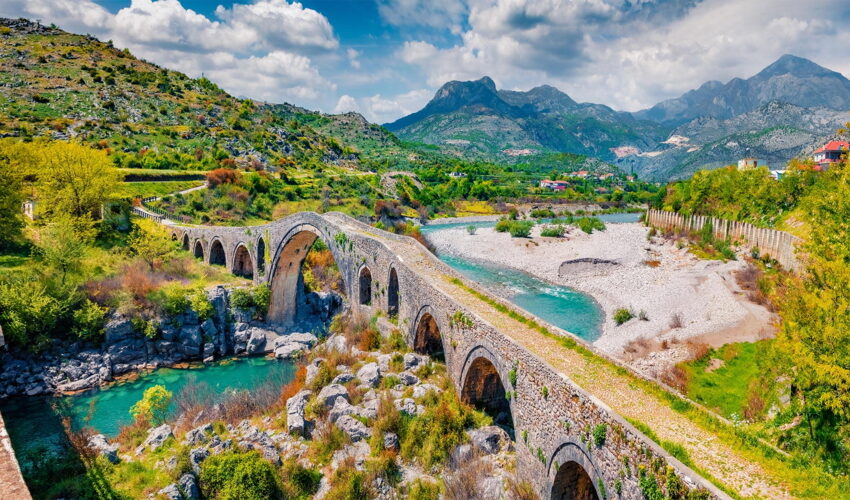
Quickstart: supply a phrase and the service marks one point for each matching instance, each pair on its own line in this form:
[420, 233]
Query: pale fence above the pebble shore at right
[778, 244]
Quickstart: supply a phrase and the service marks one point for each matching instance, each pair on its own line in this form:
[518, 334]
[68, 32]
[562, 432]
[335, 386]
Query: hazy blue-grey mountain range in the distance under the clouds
[774, 115]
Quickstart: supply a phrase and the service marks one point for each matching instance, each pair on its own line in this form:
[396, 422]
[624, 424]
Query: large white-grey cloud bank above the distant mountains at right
[630, 54]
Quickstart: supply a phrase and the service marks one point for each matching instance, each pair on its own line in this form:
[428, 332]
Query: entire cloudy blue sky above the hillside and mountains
[386, 58]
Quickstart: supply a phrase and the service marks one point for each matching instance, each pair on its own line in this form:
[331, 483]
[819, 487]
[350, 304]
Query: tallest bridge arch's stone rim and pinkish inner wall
[284, 276]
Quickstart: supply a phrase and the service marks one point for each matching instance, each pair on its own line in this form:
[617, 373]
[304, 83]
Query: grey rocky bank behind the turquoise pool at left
[183, 338]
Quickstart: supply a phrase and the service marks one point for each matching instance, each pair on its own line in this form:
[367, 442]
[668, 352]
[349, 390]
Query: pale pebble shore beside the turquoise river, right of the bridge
[703, 293]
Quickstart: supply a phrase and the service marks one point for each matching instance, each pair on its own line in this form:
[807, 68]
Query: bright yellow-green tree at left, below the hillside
[71, 178]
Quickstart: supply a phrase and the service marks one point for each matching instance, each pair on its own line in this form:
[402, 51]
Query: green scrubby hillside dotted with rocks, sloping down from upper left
[61, 85]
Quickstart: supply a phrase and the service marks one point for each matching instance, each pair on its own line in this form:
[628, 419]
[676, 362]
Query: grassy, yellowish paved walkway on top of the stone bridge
[619, 389]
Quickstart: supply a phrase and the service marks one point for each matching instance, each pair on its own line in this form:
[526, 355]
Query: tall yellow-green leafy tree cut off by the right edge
[815, 335]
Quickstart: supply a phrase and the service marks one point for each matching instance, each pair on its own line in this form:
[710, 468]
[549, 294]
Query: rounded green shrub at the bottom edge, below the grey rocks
[239, 476]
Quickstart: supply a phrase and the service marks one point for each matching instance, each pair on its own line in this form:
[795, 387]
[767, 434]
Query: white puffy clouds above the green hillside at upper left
[260, 50]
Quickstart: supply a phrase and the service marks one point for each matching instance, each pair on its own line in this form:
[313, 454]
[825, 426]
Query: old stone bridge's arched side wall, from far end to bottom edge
[552, 417]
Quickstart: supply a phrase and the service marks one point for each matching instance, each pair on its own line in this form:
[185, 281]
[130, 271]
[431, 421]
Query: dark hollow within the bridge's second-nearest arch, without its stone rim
[483, 388]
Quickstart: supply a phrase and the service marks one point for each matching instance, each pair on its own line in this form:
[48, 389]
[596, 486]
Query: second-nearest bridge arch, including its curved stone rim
[483, 386]
